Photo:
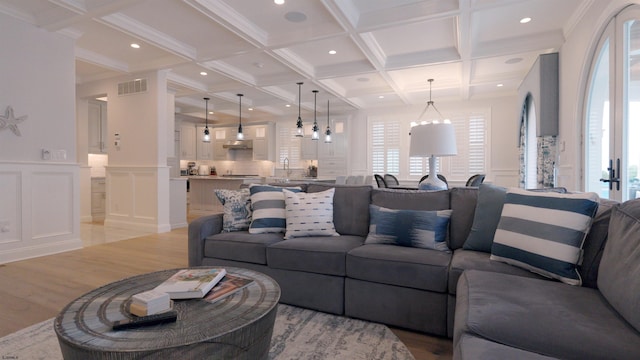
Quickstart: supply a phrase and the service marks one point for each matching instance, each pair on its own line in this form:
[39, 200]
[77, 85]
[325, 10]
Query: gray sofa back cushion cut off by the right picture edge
[619, 273]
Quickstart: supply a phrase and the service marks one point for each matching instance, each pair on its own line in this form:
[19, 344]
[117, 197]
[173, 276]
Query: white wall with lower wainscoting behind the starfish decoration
[39, 199]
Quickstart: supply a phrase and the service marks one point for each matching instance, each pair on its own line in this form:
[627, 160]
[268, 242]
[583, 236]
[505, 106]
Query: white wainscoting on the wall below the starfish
[40, 209]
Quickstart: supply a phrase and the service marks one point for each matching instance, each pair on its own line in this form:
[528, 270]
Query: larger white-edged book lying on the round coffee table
[191, 283]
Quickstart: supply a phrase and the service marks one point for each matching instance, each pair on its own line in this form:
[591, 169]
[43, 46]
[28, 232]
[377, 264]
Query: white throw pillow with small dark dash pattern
[309, 214]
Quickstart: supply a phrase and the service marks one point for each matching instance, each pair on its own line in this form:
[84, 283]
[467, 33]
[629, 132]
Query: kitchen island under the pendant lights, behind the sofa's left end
[202, 199]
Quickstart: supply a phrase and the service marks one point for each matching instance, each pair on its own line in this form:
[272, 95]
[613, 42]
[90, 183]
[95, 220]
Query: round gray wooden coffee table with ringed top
[236, 327]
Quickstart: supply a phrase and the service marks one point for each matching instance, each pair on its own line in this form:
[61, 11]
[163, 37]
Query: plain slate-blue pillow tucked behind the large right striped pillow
[486, 218]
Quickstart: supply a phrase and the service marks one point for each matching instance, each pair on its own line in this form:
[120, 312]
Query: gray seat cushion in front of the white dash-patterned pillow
[320, 255]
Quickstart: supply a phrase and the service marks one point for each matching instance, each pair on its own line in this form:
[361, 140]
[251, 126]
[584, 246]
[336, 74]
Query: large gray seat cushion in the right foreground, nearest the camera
[541, 316]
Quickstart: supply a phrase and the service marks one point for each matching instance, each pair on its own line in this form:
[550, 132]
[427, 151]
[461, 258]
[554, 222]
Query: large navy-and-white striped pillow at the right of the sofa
[544, 232]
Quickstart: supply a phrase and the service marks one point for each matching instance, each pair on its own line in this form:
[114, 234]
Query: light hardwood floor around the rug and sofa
[34, 290]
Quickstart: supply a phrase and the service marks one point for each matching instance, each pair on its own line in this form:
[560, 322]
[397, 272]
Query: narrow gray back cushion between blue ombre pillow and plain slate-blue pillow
[463, 204]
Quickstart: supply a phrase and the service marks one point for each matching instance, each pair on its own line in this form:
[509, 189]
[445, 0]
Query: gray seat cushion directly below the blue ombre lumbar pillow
[417, 268]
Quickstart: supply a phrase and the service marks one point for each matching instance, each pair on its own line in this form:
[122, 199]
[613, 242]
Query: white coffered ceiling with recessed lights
[385, 50]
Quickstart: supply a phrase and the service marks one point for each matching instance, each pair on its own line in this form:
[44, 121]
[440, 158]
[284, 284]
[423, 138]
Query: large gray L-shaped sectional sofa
[458, 294]
